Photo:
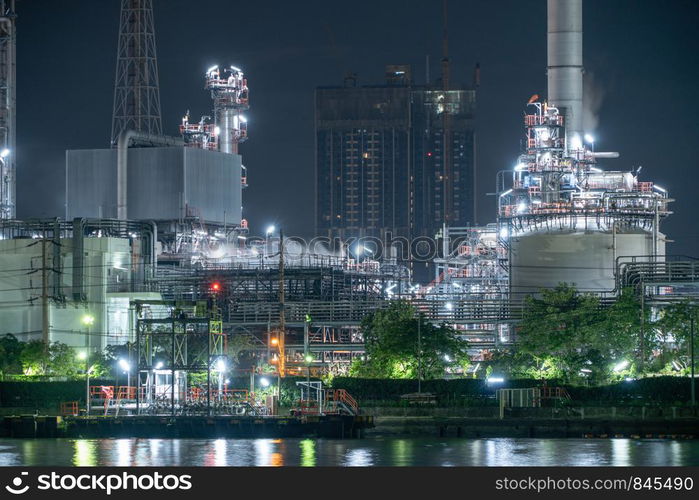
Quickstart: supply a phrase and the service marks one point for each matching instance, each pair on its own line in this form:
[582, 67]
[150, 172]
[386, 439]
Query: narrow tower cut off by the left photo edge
[7, 109]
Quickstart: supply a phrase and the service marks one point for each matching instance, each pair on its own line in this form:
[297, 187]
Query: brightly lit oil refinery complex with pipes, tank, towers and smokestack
[154, 250]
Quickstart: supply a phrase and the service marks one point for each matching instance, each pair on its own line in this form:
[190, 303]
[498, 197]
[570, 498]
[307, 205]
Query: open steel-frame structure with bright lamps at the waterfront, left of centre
[182, 362]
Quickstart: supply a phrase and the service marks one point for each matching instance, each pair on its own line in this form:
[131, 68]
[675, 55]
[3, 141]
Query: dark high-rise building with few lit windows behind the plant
[394, 159]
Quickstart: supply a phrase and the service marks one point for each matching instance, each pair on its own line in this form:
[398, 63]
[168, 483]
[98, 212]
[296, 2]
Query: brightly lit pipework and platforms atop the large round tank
[557, 185]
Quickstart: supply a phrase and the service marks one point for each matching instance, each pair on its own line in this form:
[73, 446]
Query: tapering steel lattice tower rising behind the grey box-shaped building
[136, 90]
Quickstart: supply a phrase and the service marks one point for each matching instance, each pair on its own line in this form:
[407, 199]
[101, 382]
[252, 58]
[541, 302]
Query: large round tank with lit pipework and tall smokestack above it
[561, 217]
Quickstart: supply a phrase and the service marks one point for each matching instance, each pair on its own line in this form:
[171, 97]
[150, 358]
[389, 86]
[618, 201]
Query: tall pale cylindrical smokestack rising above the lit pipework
[565, 62]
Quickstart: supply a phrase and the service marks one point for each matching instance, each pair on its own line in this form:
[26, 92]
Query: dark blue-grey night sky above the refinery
[643, 57]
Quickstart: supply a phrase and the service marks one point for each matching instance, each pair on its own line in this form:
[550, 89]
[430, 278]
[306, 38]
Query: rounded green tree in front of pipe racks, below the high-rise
[393, 349]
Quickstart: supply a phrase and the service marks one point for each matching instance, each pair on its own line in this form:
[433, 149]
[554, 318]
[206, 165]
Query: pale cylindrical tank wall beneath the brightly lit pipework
[583, 259]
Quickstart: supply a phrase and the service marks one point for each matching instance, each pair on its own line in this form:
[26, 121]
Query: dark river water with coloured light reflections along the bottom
[335, 452]
